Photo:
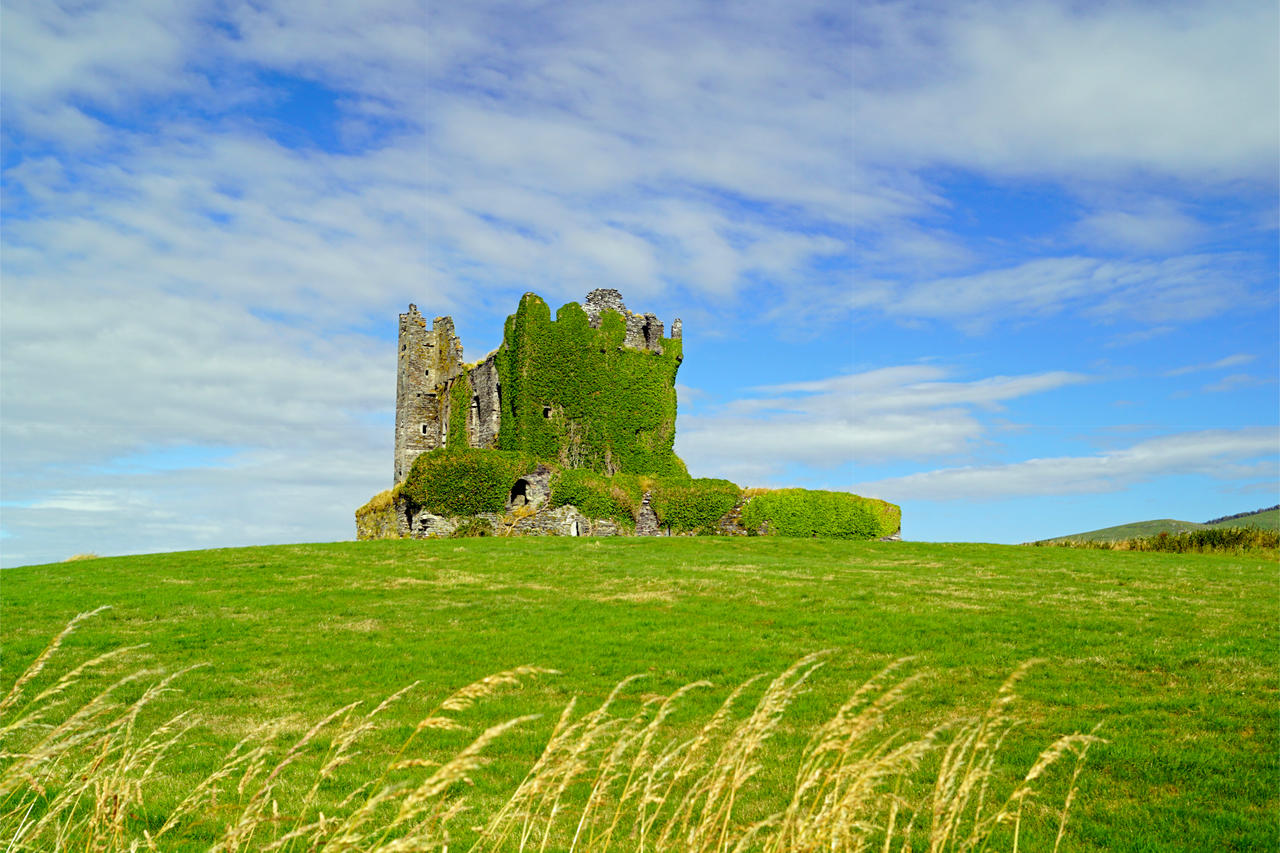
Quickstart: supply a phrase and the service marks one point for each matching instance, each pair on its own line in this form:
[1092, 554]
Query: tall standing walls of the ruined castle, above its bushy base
[440, 399]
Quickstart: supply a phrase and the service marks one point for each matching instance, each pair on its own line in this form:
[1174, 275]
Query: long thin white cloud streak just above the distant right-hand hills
[1245, 454]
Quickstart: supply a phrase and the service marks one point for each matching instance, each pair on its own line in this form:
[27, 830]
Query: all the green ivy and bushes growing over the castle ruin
[577, 399]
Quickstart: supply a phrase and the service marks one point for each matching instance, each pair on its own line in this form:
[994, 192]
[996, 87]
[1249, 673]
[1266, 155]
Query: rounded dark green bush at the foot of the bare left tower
[464, 481]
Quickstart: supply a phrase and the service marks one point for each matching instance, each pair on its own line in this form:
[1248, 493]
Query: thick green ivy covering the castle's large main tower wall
[575, 396]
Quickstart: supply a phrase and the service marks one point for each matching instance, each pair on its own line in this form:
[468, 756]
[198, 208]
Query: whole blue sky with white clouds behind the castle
[1013, 266]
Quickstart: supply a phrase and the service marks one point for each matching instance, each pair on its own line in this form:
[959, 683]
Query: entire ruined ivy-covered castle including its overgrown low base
[568, 430]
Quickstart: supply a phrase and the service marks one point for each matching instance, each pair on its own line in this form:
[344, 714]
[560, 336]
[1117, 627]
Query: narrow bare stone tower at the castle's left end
[428, 361]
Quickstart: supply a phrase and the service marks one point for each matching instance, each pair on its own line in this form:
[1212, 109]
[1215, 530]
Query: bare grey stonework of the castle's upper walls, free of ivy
[431, 364]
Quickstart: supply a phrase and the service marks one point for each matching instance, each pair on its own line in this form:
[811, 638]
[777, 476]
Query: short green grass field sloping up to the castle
[1174, 655]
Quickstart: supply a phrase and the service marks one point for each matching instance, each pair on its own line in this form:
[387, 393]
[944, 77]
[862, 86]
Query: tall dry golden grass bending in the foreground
[77, 776]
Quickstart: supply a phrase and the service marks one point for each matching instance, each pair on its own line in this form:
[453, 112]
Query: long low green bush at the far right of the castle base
[804, 513]
